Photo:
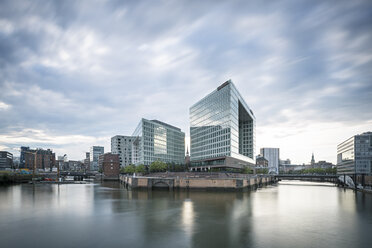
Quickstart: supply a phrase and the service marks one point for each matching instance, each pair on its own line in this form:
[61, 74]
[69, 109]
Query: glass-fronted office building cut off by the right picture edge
[354, 155]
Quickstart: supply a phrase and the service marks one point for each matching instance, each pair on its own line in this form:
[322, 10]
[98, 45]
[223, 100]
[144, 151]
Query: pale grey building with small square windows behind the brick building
[122, 145]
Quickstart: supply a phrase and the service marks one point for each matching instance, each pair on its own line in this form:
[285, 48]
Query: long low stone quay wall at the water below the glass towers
[196, 183]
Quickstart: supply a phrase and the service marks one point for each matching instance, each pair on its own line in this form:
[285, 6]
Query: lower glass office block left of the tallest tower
[156, 140]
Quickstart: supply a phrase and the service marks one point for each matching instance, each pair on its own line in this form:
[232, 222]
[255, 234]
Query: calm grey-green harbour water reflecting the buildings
[291, 214]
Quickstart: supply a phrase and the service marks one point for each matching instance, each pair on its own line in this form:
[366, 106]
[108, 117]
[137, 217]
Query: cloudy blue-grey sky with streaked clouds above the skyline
[75, 73]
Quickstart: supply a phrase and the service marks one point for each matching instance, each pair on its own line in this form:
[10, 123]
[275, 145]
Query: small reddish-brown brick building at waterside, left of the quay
[110, 165]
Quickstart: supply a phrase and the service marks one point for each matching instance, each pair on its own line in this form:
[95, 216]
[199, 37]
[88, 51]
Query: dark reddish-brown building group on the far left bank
[45, 159]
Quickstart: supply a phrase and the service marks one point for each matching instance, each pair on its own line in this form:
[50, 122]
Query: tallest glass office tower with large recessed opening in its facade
[222, 130]
